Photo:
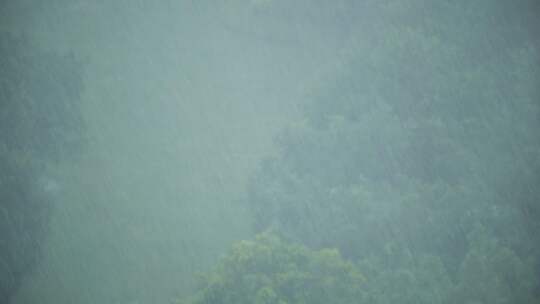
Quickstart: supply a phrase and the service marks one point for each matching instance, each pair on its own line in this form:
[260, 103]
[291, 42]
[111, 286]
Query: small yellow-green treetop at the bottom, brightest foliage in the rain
[270, 270]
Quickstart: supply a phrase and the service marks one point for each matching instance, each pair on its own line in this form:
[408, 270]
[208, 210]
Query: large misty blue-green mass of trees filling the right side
[425, 131]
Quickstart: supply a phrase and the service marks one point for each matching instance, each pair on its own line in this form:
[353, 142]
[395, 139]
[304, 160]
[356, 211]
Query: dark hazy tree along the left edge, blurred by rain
[40, 123]
